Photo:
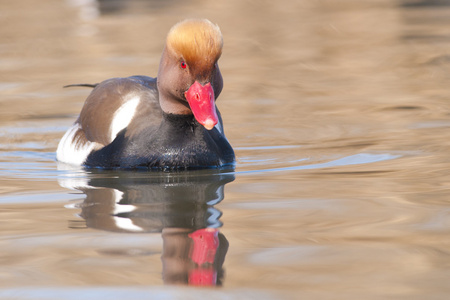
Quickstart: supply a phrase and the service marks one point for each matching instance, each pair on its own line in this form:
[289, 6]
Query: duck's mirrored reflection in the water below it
[179, 205]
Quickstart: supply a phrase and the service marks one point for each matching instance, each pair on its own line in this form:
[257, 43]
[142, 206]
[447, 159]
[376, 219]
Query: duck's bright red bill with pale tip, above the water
[202, 102]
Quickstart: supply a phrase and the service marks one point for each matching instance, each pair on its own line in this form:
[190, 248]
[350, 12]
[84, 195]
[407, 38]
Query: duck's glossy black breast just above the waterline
[178, 142]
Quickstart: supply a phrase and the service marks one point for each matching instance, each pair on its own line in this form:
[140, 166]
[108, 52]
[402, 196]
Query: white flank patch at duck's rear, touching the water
[69, 153]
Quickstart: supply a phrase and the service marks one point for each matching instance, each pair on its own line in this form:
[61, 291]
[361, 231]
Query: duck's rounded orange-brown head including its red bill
[189, 68]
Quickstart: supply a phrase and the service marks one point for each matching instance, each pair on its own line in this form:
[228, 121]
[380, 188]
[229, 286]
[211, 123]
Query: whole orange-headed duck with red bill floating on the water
[166, 122]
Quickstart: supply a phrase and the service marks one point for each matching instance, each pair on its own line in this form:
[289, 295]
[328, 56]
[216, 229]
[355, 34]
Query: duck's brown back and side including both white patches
[113, 105]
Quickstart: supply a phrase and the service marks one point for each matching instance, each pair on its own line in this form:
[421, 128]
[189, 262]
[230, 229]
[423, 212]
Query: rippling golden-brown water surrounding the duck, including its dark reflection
[339, 114]
